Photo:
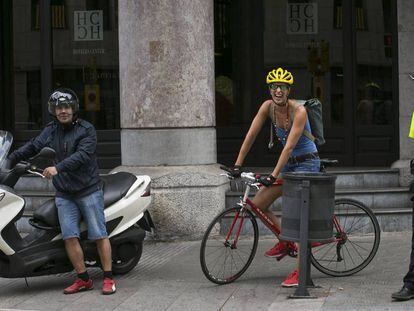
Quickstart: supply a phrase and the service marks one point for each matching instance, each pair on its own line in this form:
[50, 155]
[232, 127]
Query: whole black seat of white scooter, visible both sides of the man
[115, 186]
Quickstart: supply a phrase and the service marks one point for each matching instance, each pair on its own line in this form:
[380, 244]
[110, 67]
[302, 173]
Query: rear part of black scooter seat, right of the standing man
[115, 186]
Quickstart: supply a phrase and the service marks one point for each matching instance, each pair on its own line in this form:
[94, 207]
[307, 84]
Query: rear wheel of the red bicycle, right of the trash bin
[354, 248]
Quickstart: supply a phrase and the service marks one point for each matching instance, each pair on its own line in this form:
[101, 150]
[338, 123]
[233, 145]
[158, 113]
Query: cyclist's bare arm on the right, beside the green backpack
[294, 135]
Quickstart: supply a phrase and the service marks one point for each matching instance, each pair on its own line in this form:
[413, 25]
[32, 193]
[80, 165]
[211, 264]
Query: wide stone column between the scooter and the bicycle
[166, 55]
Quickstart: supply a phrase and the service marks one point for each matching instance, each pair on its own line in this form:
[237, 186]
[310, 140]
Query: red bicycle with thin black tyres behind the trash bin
[230, 241]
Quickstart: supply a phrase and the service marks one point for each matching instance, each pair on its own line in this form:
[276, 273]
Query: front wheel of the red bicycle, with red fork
[229, 245]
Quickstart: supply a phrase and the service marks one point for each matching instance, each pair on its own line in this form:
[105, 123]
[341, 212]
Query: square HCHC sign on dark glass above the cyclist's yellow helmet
[302, 18]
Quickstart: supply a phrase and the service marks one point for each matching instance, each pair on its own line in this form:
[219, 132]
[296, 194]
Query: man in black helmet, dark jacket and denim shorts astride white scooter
[78, 186]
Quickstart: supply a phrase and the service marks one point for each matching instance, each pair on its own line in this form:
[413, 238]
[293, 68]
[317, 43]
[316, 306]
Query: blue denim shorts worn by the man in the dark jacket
[90, 207]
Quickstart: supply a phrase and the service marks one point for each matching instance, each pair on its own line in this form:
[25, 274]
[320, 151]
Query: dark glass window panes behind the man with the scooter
[85, 59]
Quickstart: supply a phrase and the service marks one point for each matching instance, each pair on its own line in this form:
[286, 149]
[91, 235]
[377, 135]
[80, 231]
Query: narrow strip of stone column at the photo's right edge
[406, 86]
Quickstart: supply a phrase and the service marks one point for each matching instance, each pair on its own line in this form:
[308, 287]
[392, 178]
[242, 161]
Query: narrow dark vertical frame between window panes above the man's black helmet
[46, 56]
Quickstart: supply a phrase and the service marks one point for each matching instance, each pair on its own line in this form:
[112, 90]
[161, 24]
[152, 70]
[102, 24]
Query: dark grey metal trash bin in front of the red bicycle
[321, 205]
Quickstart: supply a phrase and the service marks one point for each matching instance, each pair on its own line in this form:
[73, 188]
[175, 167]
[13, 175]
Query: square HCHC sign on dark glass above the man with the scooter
[88, 25]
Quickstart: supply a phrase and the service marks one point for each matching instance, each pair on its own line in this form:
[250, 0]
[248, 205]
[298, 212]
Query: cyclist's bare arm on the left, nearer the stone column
[254, 130]
